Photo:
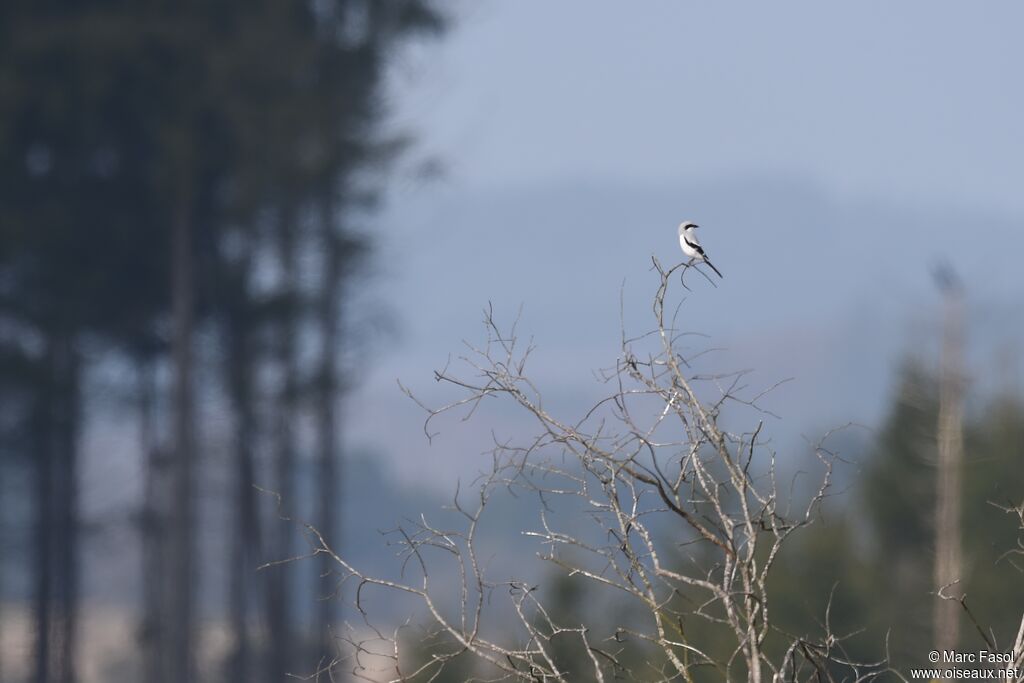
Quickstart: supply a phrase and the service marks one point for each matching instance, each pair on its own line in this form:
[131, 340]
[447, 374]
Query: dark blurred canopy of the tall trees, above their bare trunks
[114, 116]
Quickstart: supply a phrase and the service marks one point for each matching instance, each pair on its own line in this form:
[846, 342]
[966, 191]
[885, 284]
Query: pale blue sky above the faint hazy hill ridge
[910, 100]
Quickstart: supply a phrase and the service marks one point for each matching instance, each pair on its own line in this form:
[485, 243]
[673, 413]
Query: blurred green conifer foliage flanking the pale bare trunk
[879, 550]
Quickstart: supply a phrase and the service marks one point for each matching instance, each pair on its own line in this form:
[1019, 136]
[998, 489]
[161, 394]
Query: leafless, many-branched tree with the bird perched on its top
[673, 520]
